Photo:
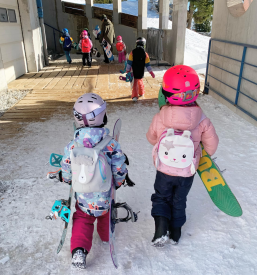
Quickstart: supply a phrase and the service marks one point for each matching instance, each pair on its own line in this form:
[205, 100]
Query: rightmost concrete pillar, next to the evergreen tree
[179, 21]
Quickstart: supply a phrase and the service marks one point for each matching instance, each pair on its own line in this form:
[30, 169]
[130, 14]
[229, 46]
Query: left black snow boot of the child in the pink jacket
[161, 231]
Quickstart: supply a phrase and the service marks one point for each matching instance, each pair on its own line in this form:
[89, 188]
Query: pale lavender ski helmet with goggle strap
[90, 110]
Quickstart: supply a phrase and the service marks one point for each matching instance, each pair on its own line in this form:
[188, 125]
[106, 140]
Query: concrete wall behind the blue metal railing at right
[241, 29]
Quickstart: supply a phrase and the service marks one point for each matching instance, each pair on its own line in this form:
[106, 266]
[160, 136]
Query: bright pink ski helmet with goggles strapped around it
[181, 85]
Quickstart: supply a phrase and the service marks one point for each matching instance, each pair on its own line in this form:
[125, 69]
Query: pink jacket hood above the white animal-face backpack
[181, 118]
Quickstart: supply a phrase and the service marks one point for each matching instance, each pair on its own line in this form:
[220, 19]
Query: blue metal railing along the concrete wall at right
[241, 77]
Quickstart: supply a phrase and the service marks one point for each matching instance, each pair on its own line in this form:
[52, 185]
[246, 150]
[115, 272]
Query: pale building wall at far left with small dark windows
[12, 54]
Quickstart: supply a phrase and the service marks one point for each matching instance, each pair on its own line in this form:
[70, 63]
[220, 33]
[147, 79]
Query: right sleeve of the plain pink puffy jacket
[209, 138]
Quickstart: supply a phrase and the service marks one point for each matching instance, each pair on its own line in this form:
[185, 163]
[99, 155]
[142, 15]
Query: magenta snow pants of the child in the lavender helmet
[83, 228]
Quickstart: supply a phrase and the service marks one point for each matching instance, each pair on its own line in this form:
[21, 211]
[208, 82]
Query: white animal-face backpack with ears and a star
[175, 149]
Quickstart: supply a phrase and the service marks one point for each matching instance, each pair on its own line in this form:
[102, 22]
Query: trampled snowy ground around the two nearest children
[211, 242]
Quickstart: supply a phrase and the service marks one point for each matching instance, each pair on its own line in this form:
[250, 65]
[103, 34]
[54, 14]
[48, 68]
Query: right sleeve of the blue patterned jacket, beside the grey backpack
[116, 159]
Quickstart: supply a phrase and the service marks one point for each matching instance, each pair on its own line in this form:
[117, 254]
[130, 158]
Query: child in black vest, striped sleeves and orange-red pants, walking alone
[137, 61]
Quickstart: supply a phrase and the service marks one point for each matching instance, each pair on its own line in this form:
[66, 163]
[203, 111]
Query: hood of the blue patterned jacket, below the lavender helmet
[90, 137]
